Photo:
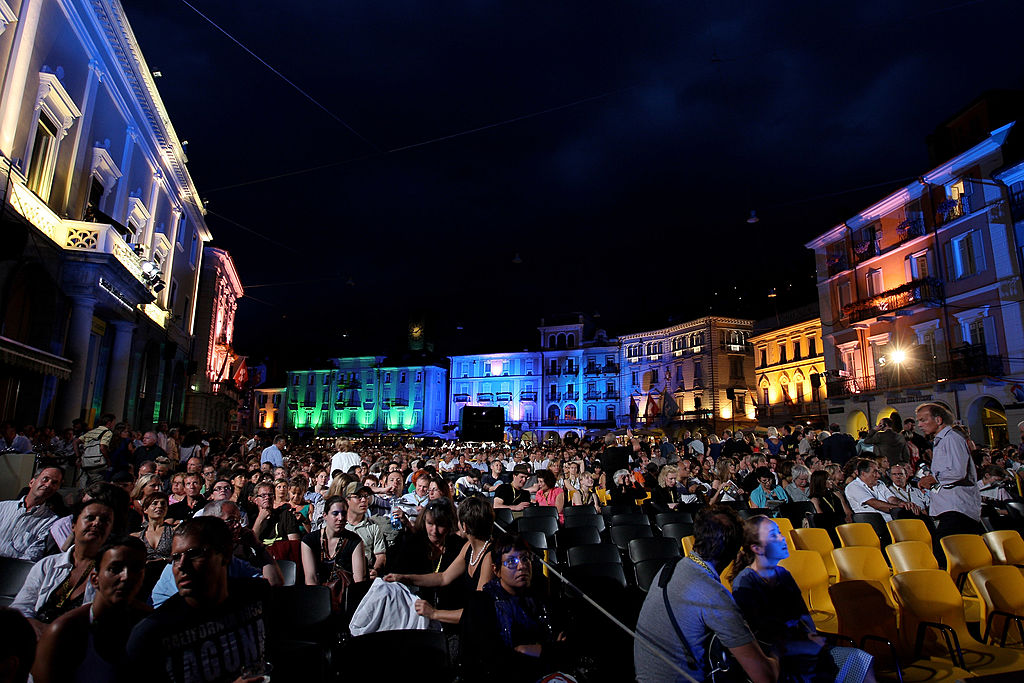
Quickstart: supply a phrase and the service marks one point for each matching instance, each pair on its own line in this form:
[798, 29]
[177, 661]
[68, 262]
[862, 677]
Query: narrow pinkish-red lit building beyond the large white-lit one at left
[212, 400]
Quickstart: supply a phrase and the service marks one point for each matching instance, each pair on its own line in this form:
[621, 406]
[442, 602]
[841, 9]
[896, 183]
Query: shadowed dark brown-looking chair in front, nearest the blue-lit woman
[867, 617]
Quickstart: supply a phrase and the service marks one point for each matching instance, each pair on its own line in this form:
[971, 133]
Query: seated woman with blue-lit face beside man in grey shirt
[774, 607]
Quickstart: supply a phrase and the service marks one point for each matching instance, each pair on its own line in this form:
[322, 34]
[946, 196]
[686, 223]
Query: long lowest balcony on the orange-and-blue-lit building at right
[966, 364]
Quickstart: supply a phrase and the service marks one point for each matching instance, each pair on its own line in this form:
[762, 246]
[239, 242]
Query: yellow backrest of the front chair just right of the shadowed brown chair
[930, 595]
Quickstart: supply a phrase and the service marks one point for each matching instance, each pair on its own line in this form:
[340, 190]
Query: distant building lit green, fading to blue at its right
[369, 394]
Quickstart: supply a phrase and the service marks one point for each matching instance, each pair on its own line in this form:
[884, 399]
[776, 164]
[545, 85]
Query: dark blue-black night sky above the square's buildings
[641, 137]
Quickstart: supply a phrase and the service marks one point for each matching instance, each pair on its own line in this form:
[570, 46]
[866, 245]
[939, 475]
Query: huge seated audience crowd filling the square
[156, 551]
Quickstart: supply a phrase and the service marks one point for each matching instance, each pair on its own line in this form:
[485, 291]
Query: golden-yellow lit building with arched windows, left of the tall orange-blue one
[789, 364]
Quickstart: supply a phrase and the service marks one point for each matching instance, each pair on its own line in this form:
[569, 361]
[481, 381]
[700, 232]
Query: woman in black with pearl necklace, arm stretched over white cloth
[473, 568]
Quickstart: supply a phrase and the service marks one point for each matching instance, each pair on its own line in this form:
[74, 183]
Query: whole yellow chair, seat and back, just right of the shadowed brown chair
[932, 606]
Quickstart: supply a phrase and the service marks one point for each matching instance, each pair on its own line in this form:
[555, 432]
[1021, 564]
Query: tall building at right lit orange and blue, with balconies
[921, 297]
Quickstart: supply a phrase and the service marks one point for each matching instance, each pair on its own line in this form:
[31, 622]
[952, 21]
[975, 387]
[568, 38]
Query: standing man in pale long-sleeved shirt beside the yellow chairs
[956, 505]
